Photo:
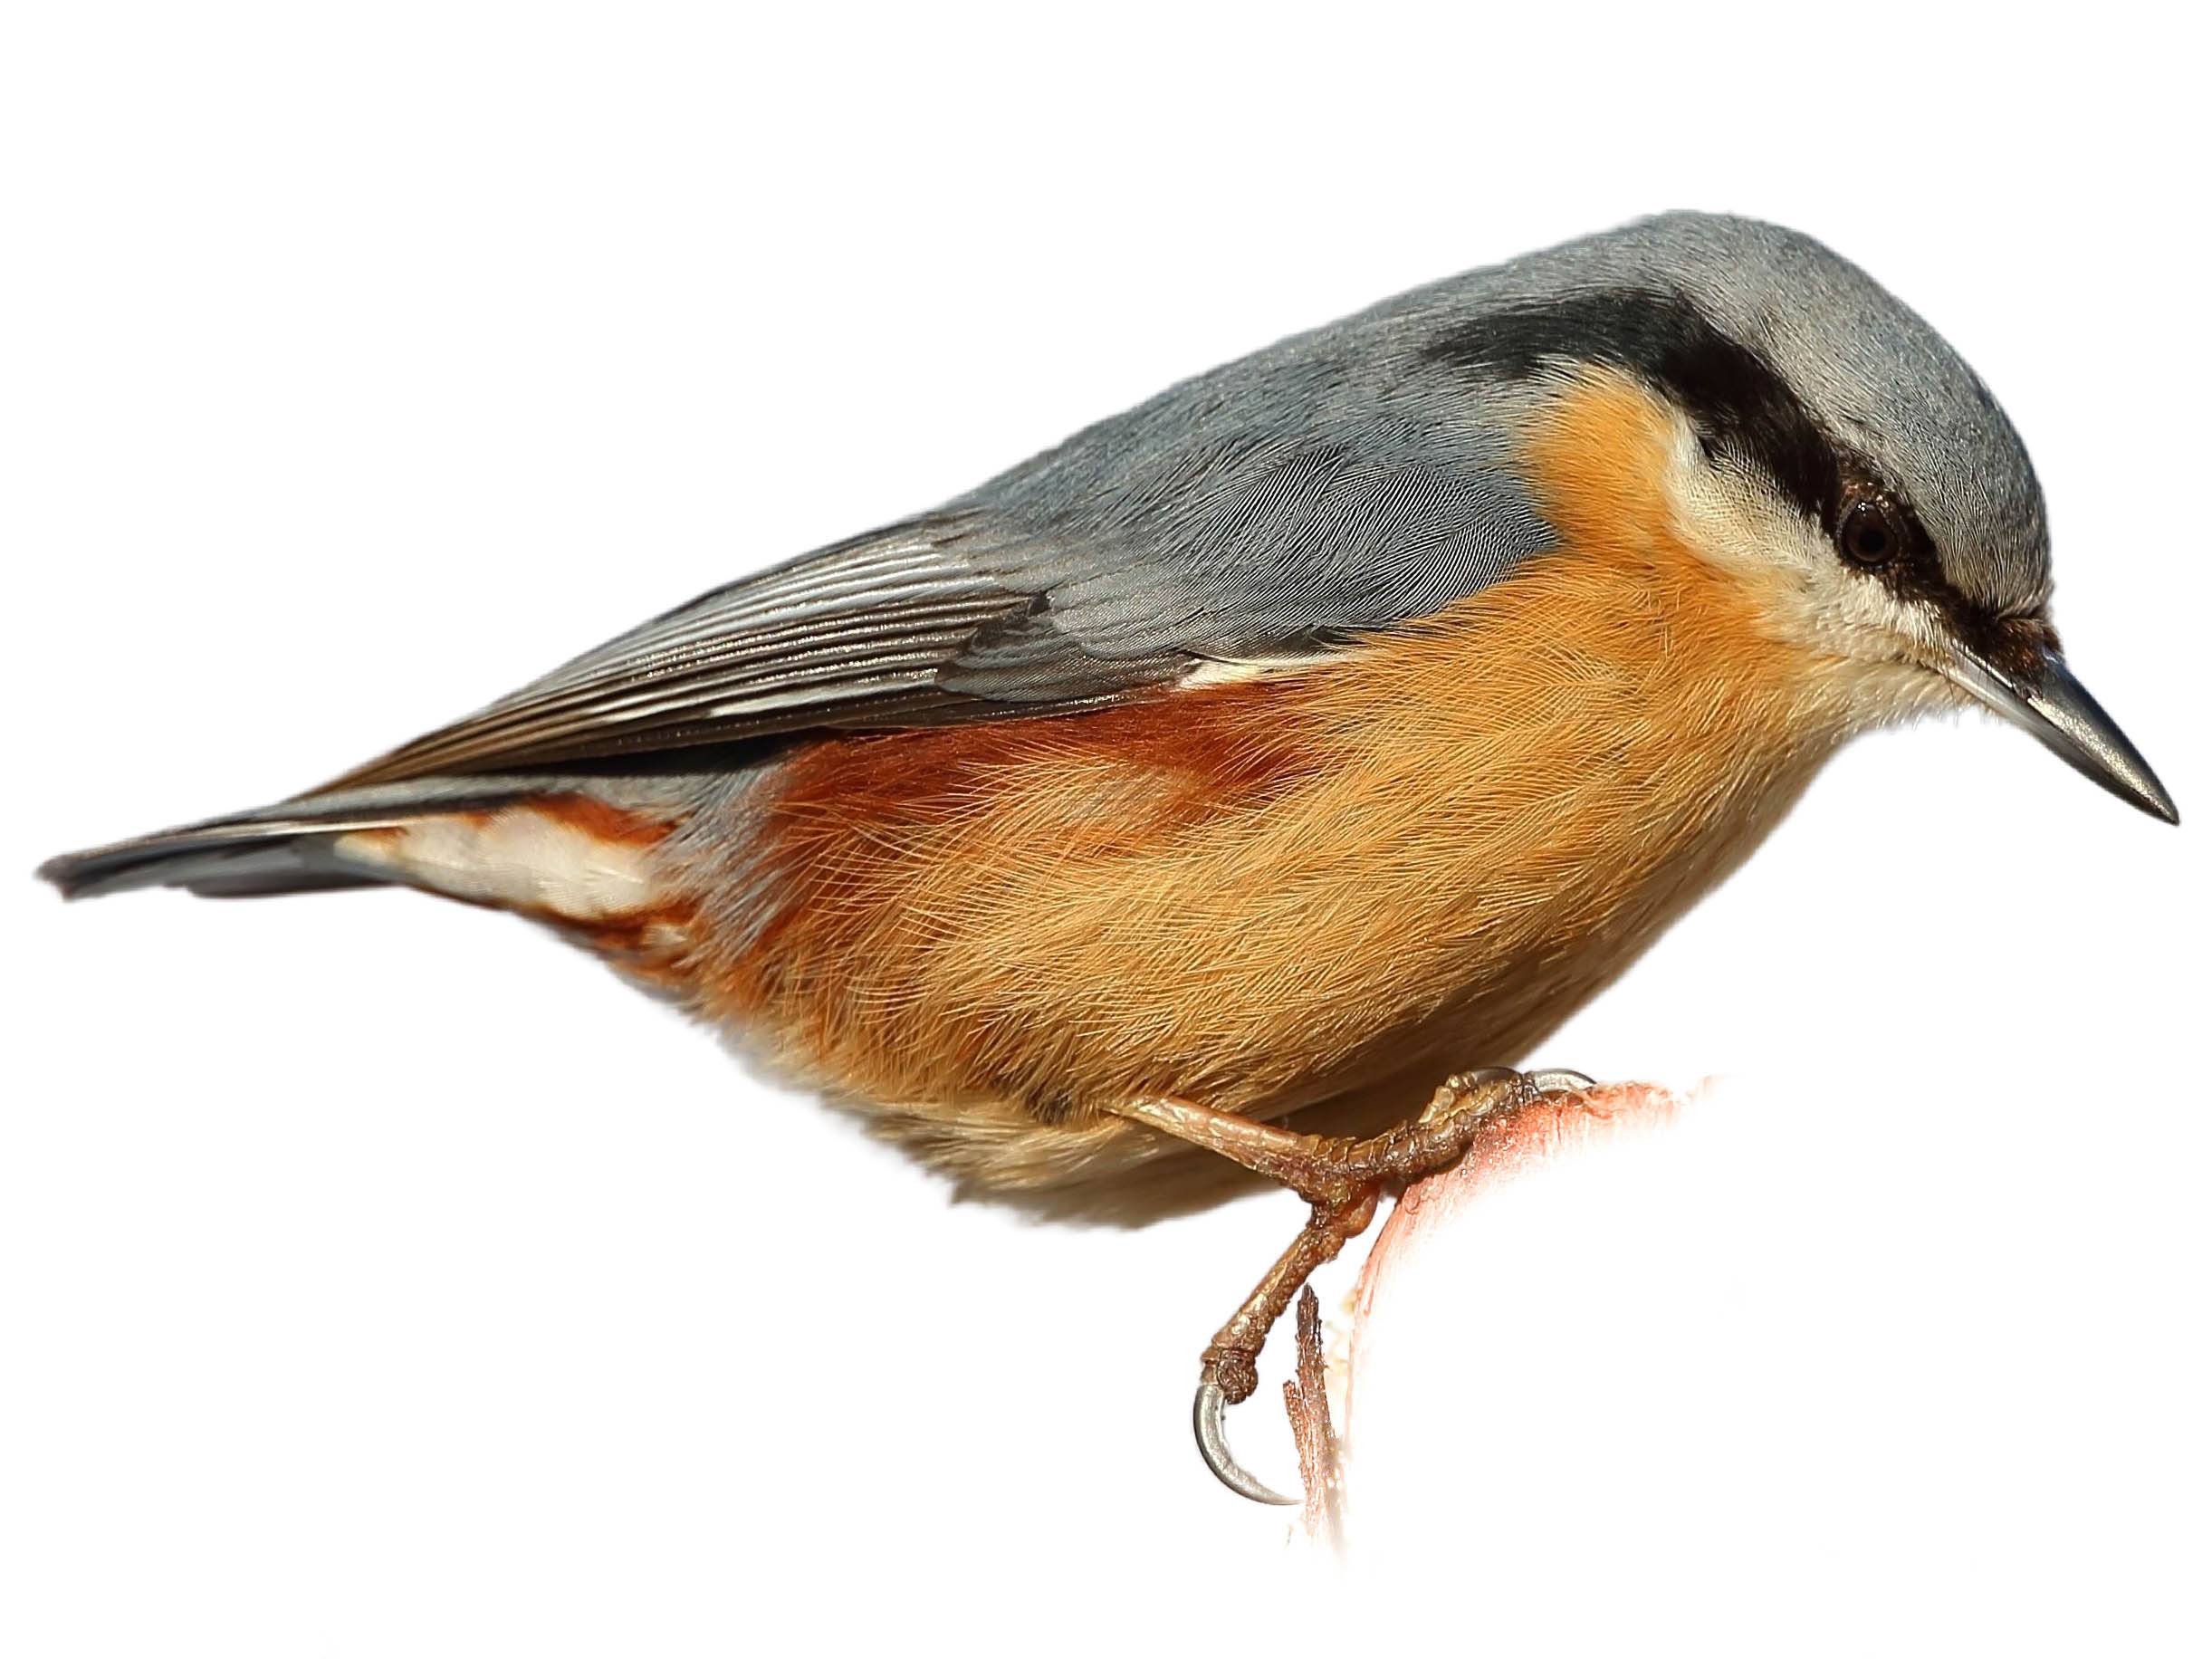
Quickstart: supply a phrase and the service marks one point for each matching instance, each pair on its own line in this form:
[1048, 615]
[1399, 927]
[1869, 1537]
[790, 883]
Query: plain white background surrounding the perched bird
[379, 1277]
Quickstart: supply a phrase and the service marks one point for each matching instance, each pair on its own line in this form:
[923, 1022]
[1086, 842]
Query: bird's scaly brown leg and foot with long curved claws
[1344, 1180]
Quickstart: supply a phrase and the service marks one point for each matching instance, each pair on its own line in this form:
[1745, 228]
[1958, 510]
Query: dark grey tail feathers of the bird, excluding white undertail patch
[289, 848]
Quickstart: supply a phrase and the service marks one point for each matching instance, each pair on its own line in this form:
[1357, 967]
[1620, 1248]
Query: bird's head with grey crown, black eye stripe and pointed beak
[1830, 446]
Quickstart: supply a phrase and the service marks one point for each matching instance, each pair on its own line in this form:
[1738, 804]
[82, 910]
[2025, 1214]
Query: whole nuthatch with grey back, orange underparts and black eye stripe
[1187, 800]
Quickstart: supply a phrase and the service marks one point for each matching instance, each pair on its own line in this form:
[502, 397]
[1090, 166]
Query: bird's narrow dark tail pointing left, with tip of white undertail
[300, 846]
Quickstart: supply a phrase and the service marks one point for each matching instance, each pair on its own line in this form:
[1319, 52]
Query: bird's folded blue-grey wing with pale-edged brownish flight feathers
[1202, 528]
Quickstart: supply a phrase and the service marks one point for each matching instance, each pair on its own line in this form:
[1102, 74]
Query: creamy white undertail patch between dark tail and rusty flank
[512, 857]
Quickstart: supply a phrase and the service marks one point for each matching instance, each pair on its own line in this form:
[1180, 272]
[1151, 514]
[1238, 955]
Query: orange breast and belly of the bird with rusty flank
[1269, 893]
